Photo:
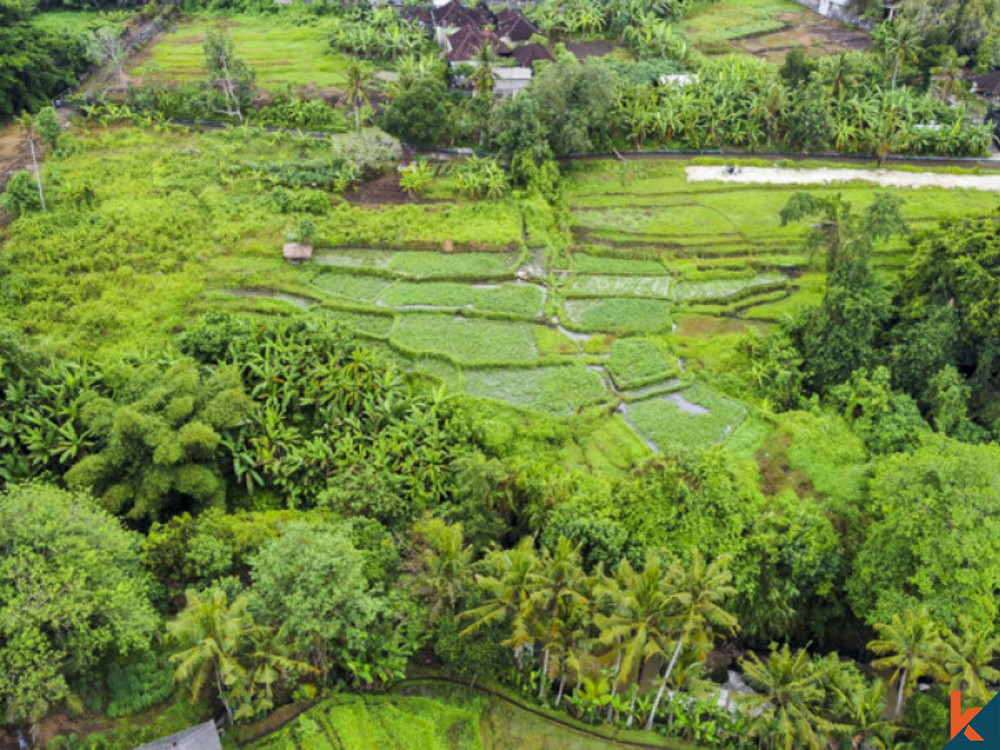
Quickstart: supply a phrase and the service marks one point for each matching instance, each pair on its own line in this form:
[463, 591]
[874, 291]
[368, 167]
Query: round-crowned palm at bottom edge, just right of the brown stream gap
[785, 710]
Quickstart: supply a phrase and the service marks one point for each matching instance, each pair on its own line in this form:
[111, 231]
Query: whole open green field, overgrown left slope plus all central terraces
[656, 269]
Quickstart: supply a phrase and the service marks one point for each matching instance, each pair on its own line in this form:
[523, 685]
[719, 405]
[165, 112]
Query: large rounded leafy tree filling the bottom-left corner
[72, 593]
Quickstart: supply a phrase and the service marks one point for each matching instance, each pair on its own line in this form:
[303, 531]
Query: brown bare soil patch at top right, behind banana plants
[816, 36]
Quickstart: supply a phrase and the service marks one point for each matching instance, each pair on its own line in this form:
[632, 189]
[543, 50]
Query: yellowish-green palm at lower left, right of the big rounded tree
[213, 632]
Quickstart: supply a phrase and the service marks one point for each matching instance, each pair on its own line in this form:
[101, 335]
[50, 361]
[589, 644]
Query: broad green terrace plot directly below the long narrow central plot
[464, 341]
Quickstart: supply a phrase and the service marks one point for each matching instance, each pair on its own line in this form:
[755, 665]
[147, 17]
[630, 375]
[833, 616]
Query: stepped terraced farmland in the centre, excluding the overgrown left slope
[619, 318]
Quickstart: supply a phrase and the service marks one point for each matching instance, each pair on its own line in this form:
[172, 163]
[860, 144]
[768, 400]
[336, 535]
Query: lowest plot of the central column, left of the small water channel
[555, 390]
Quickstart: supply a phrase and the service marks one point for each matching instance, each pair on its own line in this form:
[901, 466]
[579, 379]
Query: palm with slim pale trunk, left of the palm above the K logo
[911, 646]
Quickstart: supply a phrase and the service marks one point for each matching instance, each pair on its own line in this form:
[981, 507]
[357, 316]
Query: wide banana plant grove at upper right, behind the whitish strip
[738, 102]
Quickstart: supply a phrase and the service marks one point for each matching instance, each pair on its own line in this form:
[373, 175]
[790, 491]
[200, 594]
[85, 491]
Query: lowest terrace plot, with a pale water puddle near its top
[696, 417]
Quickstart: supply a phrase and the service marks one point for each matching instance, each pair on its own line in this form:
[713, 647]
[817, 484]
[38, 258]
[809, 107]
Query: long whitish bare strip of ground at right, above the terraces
[825, 176]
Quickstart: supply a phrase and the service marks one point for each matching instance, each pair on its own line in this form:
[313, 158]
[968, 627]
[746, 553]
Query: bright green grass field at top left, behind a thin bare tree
[283, 50]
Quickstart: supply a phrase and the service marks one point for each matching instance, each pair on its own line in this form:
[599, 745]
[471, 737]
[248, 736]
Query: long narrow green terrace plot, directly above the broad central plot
[524, 300]
